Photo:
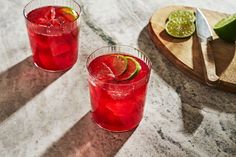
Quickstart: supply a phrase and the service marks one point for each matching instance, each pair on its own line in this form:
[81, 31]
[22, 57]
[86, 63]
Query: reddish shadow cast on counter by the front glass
[86, 139]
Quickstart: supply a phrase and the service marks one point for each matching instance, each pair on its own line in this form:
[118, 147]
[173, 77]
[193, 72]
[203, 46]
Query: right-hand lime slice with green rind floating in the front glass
[132, 69]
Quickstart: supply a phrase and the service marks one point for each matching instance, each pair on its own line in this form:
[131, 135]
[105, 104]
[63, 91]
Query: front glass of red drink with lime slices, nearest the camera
[118, 79]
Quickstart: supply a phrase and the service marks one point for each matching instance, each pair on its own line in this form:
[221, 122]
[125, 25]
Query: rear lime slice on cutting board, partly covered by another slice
[182, 15]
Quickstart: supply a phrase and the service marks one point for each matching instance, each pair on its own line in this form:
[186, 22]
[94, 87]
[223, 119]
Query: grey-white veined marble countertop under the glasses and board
[47, 114]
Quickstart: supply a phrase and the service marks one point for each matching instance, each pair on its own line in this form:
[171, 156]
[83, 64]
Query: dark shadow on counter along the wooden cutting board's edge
[193, 94]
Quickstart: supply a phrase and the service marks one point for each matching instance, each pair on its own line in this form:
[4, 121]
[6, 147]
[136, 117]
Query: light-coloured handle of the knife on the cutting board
[209, 63]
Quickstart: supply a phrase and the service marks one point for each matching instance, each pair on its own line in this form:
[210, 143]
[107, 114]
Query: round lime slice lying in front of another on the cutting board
[180, 29]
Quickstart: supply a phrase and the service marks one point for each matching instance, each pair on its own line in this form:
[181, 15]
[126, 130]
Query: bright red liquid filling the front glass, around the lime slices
[117, 106]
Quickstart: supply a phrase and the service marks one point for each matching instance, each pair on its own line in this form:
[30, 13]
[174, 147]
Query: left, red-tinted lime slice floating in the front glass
[117, 64]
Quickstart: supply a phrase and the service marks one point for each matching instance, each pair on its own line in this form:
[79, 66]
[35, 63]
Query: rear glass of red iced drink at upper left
[53, 30]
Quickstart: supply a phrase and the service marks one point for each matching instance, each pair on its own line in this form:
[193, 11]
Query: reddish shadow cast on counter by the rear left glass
[21, 83]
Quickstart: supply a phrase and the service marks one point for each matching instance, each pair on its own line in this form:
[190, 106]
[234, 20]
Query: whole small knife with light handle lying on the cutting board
[205, 36]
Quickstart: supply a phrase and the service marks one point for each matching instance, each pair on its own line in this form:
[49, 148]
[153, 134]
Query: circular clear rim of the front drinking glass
[122, 84]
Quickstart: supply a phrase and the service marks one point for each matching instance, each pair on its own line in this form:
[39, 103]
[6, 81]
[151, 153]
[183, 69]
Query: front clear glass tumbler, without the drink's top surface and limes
[118, 106]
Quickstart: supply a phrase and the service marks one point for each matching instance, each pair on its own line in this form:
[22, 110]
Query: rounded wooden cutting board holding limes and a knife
[185, 54]
